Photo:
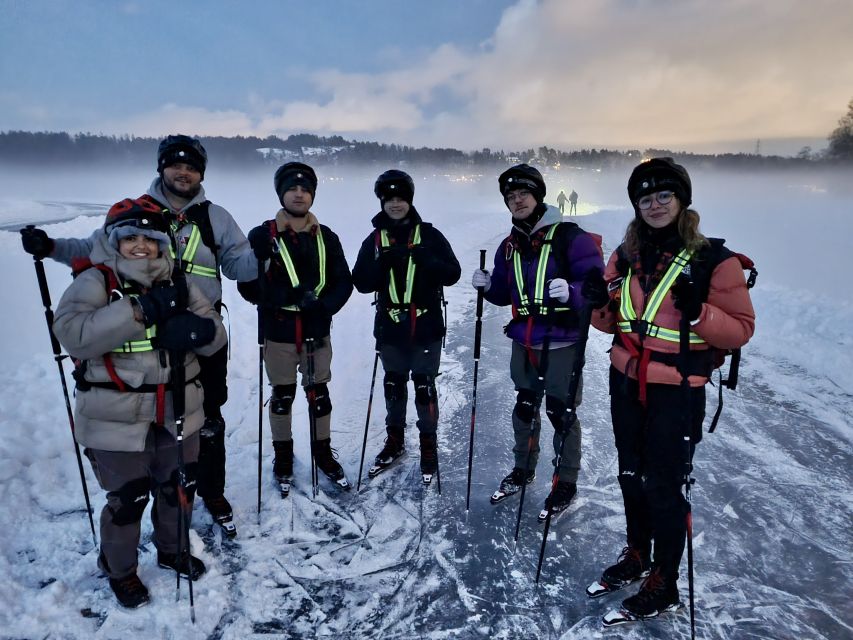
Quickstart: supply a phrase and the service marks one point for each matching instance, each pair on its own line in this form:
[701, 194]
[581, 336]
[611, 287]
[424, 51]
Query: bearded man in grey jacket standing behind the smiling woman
[209, 245]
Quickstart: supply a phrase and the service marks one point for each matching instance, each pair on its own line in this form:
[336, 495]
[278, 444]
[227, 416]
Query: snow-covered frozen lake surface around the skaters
[773, 500]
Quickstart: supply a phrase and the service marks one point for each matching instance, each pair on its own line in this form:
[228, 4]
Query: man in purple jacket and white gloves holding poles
[539, 270]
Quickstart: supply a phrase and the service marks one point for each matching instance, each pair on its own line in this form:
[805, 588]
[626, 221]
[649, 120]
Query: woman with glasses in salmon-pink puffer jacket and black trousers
[665, 271]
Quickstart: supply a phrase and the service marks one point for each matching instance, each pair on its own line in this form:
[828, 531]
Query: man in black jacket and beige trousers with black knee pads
[306, 281]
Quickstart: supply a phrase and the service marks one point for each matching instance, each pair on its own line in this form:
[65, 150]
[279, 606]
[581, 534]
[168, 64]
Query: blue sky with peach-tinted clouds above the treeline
[704, 75]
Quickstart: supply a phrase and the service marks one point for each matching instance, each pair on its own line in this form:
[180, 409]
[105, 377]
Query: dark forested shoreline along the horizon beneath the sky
[61, 148]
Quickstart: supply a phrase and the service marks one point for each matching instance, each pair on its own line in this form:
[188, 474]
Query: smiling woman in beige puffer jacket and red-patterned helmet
[124, 319]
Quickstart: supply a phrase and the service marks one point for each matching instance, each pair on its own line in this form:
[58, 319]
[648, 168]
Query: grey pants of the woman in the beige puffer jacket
[129, 478]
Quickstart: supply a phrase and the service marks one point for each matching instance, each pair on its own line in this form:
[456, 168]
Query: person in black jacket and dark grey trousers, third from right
[406, 262]
